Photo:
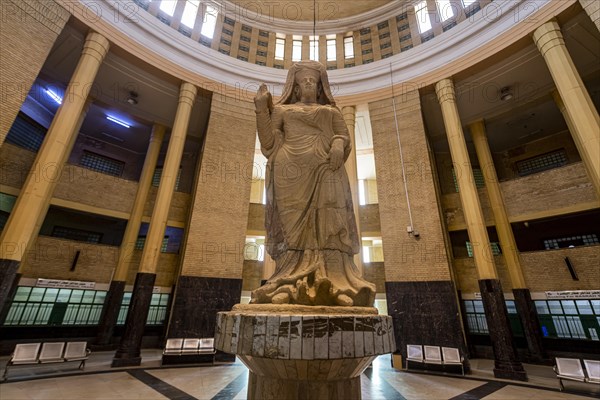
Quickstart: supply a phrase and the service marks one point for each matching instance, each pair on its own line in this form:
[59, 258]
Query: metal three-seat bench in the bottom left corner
[51, 352]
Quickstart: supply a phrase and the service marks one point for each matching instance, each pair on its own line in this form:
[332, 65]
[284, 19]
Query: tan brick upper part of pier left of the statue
[219, 218]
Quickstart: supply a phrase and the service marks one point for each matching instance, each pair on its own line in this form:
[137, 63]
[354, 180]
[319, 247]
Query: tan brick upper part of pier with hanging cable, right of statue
[407, 258]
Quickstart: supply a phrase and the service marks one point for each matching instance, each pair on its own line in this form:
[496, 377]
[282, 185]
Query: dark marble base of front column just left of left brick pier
[128, 353]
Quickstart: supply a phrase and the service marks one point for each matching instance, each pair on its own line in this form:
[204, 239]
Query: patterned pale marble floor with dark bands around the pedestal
[228, 382]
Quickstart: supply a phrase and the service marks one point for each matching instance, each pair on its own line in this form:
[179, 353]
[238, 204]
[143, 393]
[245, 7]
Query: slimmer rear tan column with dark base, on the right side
[523, 302]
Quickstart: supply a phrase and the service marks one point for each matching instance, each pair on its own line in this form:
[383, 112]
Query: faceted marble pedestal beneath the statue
[304, 352]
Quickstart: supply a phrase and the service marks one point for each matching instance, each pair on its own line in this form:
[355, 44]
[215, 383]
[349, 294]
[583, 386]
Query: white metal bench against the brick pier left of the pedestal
[189, 350]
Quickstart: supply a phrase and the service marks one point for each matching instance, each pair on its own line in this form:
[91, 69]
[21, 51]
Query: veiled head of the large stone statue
[307, 75]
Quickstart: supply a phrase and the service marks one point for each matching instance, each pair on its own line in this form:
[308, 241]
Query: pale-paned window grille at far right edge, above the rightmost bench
[572, 319]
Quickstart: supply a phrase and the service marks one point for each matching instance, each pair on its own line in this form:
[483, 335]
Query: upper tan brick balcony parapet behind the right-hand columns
[535, 195]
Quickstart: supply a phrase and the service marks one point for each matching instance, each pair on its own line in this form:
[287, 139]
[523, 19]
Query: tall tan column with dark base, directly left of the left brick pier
[128, 352]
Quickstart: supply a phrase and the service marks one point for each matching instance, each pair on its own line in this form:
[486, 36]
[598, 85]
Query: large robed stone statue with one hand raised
[311, 230]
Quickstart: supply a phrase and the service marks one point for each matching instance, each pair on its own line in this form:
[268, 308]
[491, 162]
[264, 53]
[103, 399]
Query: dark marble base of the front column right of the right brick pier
[506, 362]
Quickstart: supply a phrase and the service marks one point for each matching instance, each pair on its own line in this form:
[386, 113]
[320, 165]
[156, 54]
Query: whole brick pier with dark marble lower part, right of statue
[417, 270]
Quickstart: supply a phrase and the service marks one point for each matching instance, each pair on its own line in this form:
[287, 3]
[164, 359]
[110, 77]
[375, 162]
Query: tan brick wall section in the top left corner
[28, 30]
